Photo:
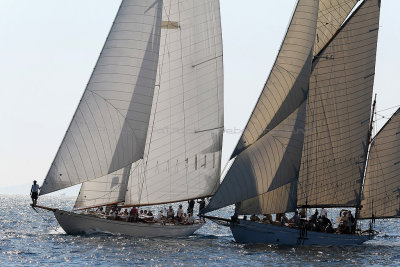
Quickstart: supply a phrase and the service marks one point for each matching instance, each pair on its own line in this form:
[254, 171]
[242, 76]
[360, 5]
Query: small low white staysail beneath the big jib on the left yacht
[106, 190]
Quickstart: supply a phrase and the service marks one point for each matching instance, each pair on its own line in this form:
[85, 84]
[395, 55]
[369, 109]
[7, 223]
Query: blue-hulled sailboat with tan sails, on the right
[307, 143]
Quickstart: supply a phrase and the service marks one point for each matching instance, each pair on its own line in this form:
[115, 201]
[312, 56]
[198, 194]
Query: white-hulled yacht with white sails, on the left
[148, 129]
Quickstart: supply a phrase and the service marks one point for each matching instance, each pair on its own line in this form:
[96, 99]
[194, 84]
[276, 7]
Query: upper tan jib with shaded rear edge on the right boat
[287, 84]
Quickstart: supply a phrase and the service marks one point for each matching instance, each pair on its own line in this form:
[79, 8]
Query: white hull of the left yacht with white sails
[73, 224]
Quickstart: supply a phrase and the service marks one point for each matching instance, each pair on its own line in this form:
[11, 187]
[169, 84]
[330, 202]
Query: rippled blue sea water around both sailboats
[31, 239]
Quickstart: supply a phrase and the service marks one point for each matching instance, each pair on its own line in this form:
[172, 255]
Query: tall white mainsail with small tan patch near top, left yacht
[183, 148]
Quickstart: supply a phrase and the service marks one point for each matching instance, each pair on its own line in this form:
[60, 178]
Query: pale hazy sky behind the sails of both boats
[48, 50]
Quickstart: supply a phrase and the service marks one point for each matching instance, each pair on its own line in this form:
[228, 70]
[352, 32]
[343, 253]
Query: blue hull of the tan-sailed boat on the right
[248, 232]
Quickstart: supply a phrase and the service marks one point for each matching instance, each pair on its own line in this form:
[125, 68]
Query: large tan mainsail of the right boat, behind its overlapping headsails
[338, 113]
